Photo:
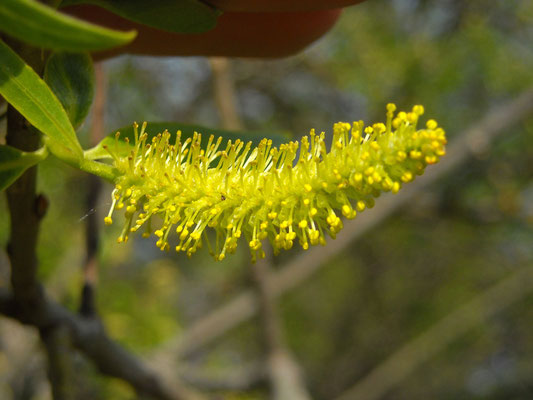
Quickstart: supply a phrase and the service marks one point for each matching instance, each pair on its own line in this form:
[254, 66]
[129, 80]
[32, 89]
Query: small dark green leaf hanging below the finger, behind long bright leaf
[71, 78]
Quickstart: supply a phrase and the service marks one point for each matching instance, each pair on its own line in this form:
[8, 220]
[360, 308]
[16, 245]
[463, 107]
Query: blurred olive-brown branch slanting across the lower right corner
[413, 354]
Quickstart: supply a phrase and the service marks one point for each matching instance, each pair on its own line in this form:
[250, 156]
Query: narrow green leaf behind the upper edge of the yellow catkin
[123, 148]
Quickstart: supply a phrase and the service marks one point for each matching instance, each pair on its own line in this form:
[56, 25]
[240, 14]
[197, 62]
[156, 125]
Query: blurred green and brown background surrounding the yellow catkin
[427, 301]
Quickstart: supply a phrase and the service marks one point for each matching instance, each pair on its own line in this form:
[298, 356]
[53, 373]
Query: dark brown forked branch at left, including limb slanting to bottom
[27, 302]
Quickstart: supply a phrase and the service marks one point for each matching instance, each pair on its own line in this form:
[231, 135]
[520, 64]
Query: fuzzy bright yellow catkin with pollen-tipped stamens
[266, 193]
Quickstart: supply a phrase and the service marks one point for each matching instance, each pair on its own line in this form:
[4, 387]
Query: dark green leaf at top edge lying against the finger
[179, 16]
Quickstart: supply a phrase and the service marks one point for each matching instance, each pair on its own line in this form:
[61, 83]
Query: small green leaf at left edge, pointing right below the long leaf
[14, 162]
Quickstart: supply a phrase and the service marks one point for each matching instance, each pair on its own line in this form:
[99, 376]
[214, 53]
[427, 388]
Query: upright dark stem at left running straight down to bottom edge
[26, 210]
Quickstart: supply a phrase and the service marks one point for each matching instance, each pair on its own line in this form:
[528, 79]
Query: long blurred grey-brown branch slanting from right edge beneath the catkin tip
[474, 141]
